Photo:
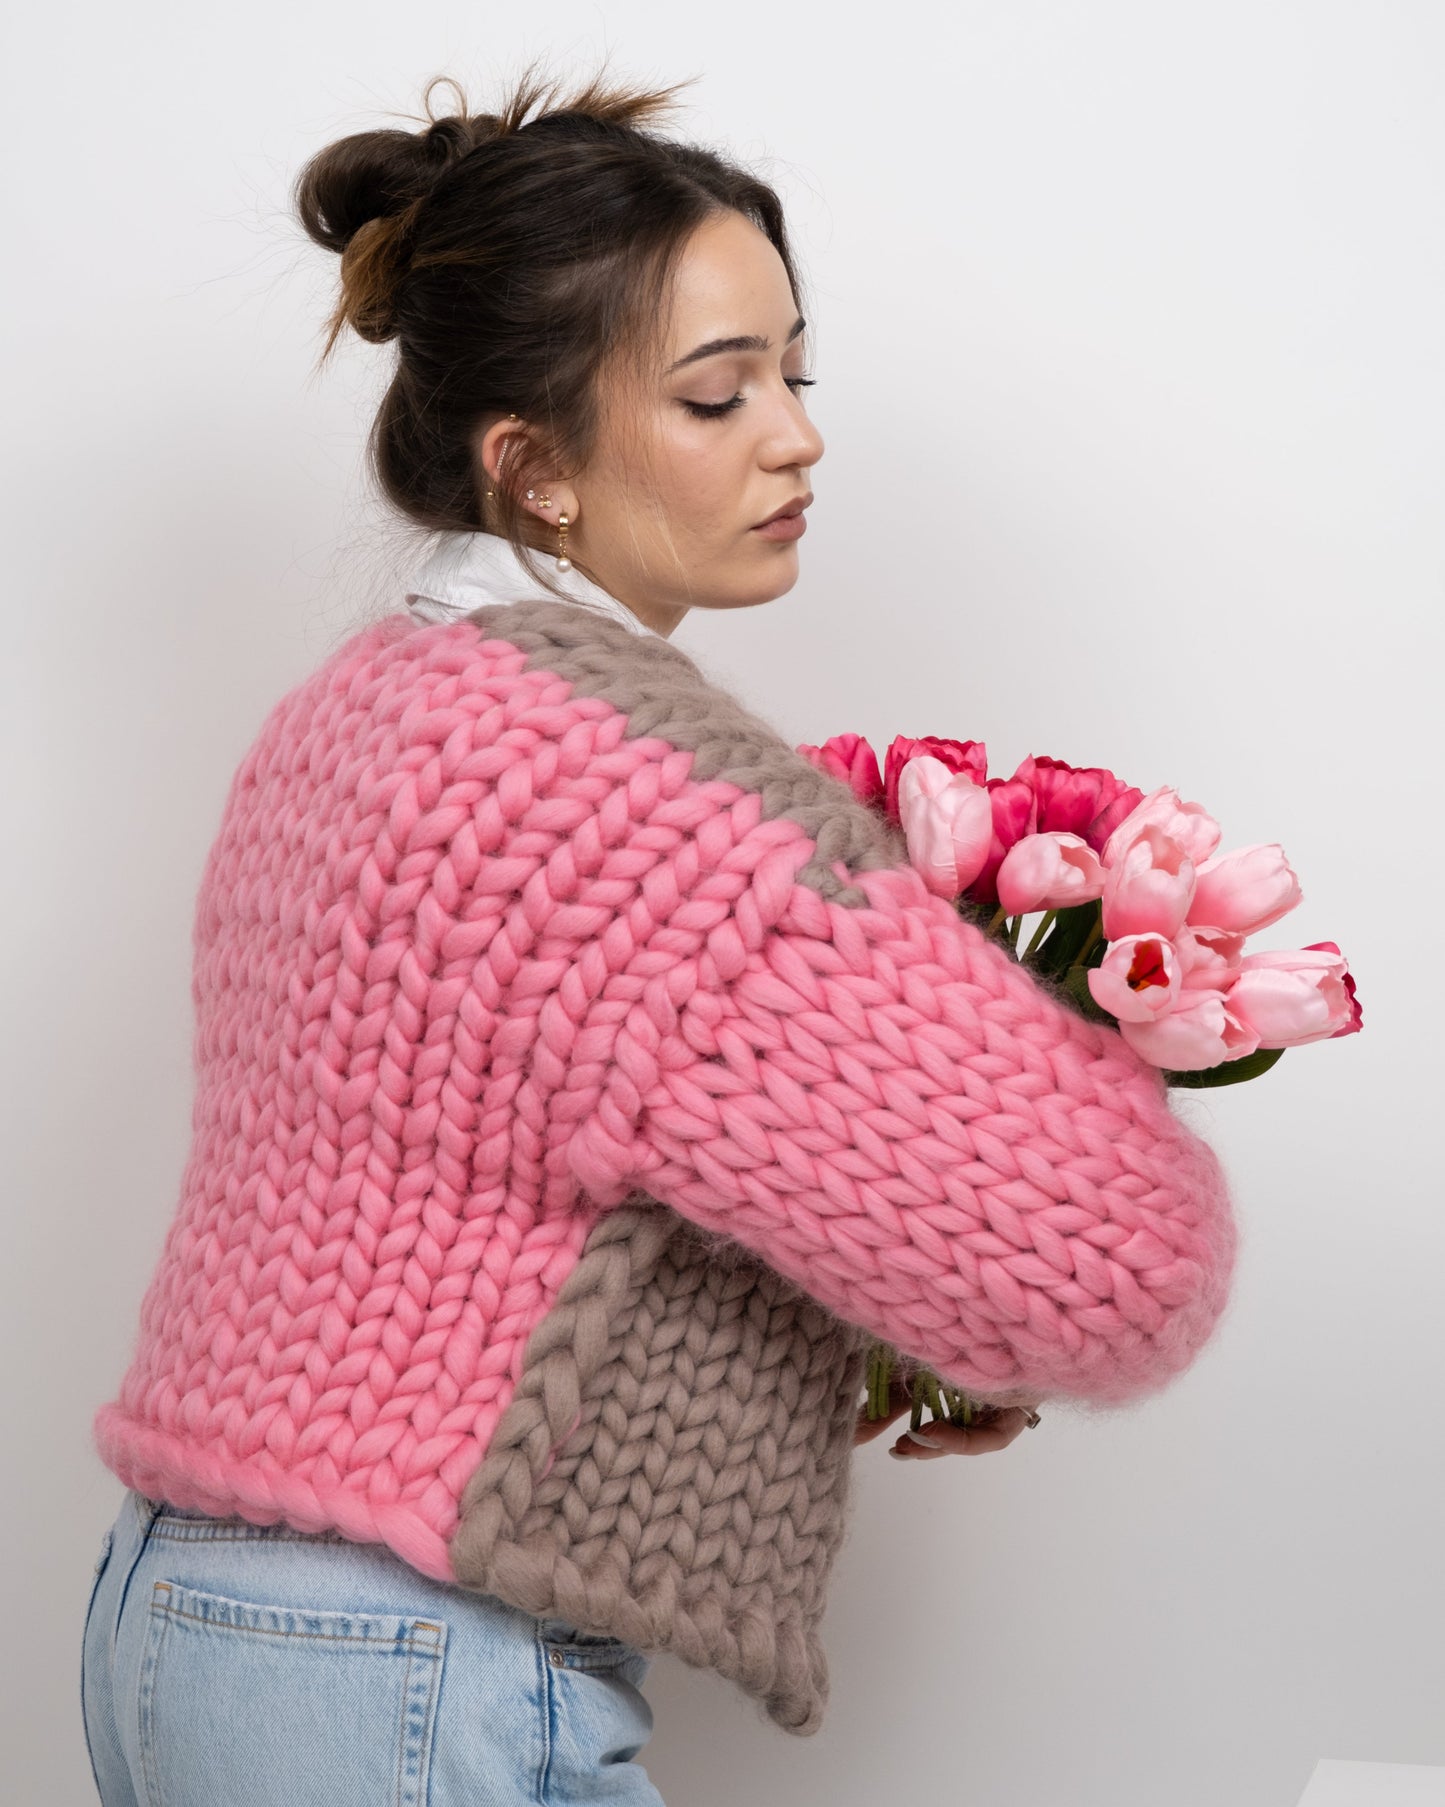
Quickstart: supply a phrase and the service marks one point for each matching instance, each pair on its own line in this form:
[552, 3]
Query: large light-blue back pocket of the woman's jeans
[248, 1705]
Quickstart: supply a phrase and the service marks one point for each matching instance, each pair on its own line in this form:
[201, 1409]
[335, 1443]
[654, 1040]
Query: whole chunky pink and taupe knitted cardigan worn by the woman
[583, 1083]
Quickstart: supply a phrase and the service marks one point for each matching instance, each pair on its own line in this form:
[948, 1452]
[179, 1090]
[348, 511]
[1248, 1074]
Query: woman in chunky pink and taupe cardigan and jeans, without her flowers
[583, 1078]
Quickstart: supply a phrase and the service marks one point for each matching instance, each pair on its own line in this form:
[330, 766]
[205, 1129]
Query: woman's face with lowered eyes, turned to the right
[667, 514]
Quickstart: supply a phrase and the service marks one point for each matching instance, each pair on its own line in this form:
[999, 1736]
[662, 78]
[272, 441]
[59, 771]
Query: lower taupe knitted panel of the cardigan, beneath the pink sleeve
[702, 1499]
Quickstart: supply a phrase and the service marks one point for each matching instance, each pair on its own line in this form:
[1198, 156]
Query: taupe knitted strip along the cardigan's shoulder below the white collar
[662, 691]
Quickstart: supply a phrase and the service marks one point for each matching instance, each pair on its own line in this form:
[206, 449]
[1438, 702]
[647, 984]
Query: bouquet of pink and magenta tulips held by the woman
[1142, 921]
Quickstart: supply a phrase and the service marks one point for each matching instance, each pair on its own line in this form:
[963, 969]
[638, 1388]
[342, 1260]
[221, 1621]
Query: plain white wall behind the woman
[1132, 377]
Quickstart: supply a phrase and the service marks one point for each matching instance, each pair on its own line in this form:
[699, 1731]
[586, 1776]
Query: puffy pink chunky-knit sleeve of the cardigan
[891, 1112]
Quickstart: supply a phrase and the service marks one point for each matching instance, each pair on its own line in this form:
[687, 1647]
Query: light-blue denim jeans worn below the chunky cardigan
[234, 1665]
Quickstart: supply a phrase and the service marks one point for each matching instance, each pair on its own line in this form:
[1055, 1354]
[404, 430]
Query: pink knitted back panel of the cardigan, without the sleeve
[369, 1228]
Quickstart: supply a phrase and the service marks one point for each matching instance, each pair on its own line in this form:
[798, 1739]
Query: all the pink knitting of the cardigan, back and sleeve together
[461, 948]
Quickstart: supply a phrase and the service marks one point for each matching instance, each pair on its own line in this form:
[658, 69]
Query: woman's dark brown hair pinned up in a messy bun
[512, 256]
